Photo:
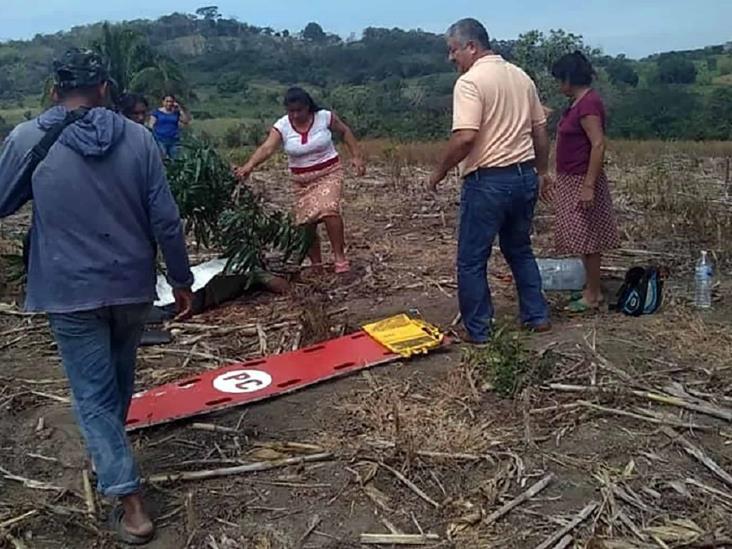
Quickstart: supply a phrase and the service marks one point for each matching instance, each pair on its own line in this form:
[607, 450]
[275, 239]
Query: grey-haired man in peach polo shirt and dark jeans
[501, 145]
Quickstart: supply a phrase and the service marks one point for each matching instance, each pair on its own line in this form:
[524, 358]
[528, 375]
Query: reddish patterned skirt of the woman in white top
[318, 194]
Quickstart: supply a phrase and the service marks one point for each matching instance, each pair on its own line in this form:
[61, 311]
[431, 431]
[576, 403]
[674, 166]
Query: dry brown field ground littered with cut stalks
[609, 432]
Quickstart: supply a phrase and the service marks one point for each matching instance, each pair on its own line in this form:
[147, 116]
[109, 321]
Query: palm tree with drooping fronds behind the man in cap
[136, 67]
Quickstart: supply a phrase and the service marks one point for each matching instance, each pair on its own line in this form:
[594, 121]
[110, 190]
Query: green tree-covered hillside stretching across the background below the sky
[389, 83]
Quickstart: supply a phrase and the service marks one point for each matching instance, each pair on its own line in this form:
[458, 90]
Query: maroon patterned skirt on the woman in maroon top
[582, 231]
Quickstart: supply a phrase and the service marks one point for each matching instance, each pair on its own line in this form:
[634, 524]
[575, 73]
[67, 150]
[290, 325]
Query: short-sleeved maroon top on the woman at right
[573, 145]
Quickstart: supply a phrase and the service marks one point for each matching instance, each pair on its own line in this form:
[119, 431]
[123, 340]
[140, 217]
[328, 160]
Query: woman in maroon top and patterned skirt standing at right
[585, 220]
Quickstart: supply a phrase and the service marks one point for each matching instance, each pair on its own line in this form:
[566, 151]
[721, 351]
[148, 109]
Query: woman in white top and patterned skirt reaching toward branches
[306, 134]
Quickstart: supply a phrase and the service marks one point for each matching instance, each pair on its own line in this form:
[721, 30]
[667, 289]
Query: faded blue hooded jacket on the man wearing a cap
[100, 203]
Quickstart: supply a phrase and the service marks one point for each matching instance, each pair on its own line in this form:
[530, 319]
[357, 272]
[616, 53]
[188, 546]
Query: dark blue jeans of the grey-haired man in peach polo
[498, 205]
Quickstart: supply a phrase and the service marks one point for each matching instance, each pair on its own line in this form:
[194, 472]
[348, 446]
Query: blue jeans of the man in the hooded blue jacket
[98, 349]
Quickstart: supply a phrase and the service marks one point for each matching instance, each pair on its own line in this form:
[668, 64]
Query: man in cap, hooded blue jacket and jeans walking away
[101, 202]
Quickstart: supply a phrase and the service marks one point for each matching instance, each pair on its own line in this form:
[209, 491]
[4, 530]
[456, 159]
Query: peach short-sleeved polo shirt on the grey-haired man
[499, 100]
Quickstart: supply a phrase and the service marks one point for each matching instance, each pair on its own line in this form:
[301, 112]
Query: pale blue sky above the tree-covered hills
[637, 28]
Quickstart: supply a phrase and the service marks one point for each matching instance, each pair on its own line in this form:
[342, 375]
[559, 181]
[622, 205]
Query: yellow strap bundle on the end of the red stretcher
[404, 335]
